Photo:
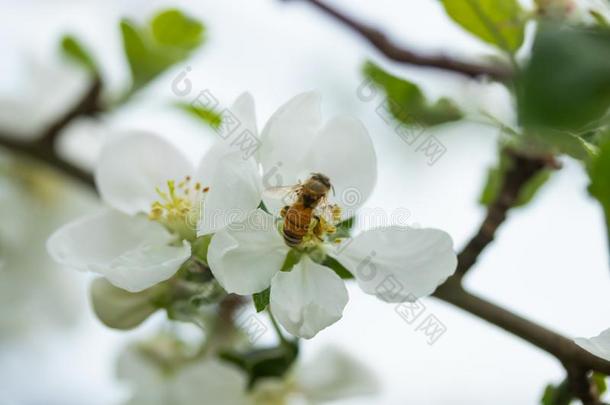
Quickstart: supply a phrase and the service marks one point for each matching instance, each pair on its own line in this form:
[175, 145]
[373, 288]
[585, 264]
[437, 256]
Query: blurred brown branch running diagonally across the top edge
[396, 53]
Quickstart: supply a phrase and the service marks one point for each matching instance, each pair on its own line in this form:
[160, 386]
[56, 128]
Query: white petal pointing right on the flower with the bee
[398, 263]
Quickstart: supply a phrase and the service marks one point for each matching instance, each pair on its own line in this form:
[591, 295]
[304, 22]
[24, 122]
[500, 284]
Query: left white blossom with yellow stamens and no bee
[159, 202]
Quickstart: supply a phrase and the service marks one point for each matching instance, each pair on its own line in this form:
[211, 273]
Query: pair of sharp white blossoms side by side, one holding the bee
[165, 213]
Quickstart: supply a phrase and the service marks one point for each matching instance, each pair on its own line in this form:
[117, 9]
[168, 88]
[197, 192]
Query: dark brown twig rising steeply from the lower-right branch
[521, 170]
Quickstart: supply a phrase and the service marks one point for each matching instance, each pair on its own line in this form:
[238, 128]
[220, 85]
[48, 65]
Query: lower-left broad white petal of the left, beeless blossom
[133, 253]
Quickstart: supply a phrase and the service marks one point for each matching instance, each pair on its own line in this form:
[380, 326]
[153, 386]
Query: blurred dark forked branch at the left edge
[42, 148]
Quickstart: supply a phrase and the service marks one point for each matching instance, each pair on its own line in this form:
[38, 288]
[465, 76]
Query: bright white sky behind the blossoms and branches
[549, 262]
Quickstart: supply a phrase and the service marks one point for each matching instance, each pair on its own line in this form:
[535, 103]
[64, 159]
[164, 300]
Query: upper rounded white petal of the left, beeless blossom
[131, 167]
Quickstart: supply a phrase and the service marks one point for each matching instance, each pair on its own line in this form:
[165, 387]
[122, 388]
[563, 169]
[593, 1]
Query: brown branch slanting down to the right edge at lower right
[559, 346]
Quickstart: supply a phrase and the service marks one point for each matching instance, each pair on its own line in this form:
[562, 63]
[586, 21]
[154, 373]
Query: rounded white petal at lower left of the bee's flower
[245, 255]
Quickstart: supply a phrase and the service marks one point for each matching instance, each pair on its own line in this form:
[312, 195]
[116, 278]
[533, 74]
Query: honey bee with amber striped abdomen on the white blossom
[303, 216]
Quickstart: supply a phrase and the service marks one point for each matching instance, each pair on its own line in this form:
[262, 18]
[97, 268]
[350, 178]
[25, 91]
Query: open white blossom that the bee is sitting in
[247, 256]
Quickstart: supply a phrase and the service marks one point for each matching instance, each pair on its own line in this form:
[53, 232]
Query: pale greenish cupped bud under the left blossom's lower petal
[120, 309]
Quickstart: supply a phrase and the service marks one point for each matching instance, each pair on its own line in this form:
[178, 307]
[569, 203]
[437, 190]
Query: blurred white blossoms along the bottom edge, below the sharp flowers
[157, 372]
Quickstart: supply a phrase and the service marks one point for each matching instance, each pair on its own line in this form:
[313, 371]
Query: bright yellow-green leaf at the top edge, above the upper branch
[497, 22]
